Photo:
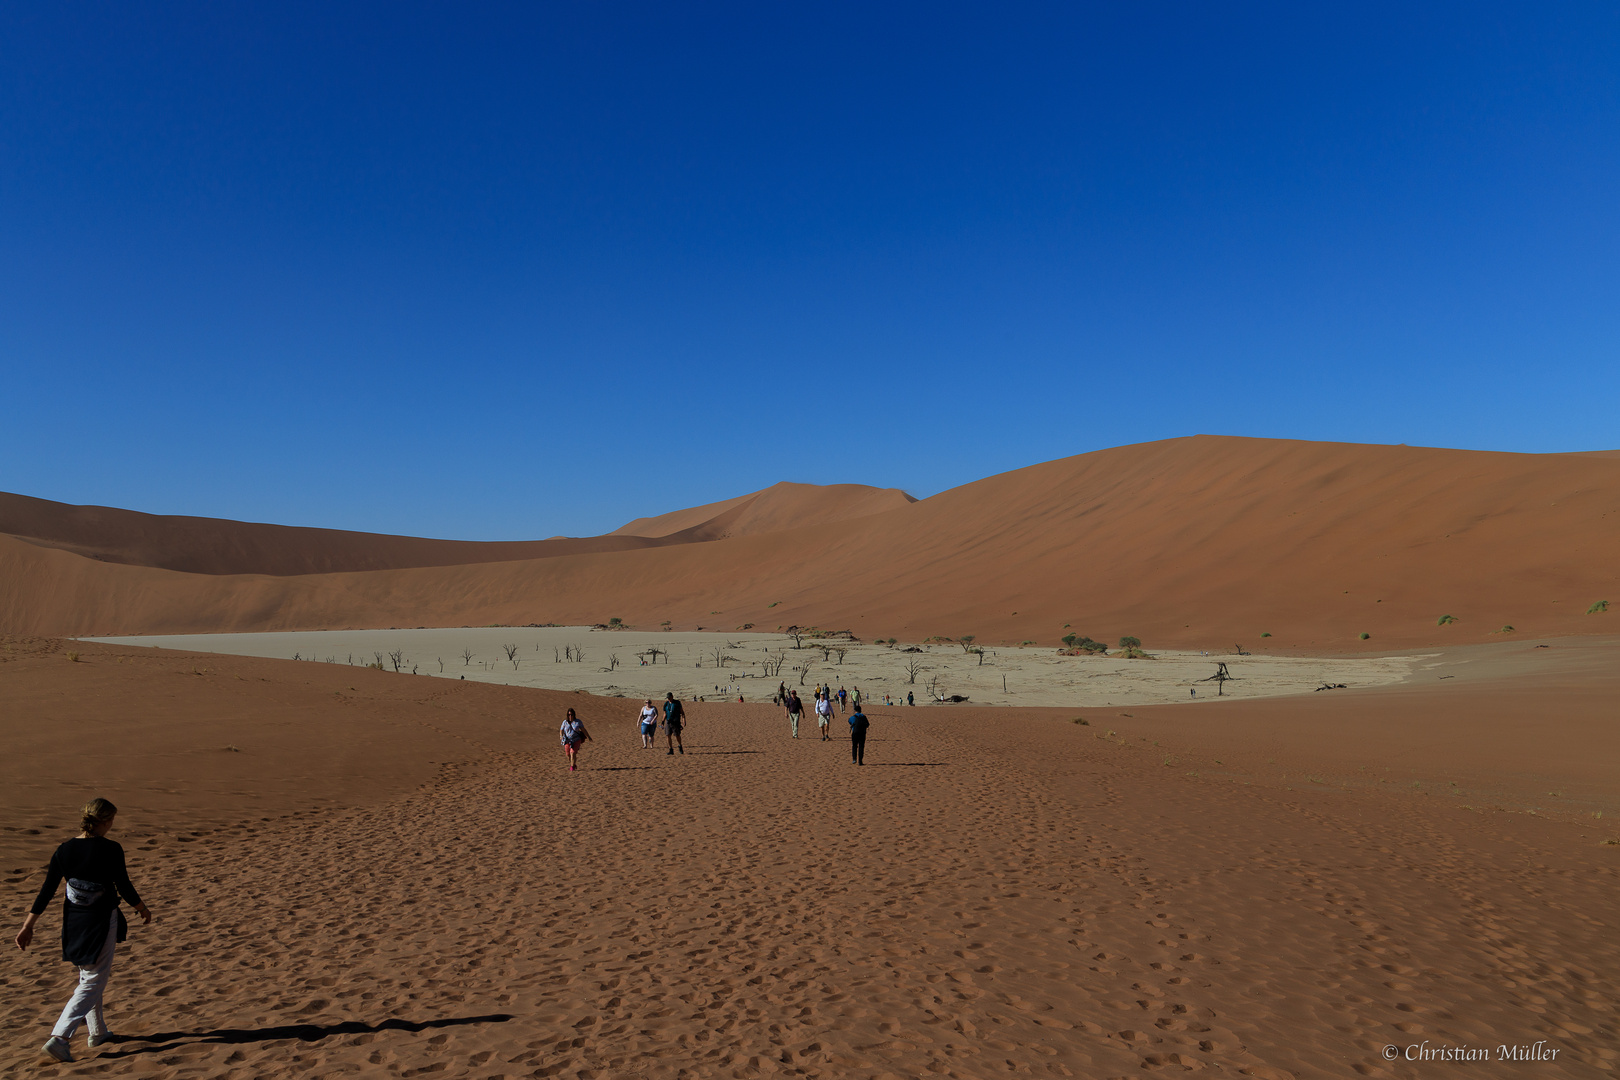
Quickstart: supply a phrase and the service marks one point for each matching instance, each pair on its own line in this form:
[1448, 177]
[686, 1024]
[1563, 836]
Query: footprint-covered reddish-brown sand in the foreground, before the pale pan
[360, 874]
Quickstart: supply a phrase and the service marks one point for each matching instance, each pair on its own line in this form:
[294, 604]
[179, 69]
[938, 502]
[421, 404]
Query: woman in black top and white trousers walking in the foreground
[92, 922]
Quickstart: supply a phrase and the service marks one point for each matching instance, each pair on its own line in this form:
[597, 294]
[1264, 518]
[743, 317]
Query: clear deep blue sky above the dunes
[508, 271]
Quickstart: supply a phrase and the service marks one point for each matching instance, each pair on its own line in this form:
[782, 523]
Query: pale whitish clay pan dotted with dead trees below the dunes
[714, 666]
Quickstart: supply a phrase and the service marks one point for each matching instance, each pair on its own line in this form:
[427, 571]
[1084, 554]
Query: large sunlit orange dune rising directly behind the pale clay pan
[1195, 543]
